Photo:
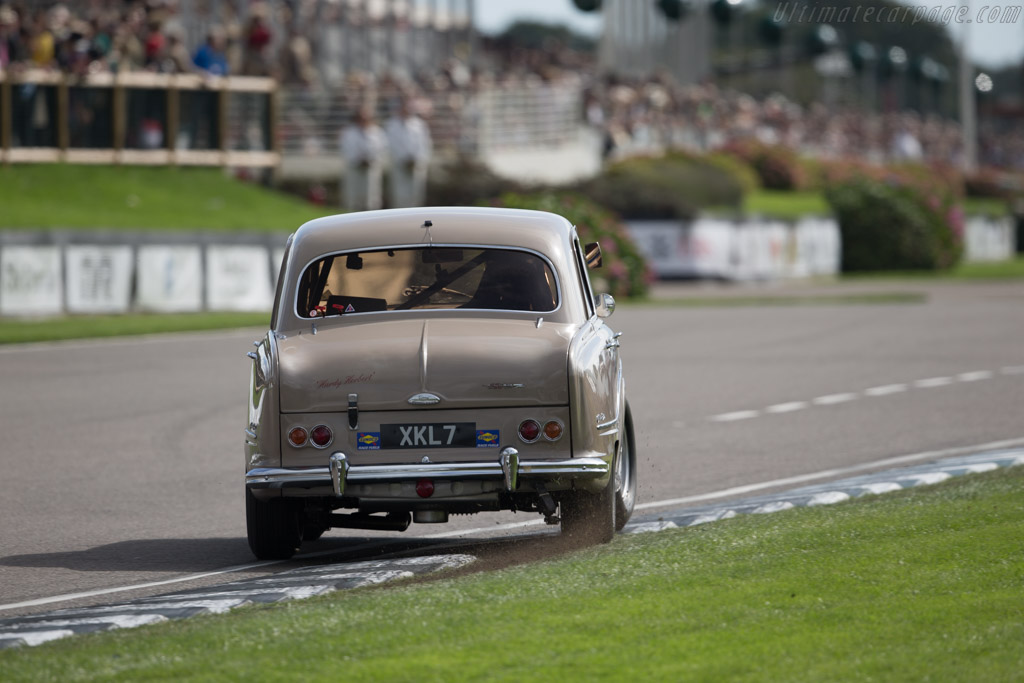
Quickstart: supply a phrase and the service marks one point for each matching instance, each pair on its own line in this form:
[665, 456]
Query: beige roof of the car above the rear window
[547, 233]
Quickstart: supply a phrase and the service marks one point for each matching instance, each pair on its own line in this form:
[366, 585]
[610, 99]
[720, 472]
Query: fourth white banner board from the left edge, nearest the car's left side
[238, 279]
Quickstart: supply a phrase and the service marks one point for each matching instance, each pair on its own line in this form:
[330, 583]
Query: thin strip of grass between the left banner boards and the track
[87, 327]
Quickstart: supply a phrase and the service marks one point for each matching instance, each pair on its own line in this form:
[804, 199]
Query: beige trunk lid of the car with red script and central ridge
[464, 363]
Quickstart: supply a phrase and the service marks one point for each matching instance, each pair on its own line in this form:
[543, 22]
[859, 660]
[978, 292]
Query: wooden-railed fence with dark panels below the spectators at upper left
[138, 118]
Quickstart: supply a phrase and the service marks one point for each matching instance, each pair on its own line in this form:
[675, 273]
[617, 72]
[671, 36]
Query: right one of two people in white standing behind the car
[411, 148]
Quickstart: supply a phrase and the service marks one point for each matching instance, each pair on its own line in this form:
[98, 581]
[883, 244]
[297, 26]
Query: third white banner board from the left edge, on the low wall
[169, 279]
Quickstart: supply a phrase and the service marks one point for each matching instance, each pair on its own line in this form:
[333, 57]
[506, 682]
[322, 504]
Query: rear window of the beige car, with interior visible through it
[428, 278]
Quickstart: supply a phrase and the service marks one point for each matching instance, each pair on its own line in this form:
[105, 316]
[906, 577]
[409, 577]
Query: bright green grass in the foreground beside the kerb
[916, 586]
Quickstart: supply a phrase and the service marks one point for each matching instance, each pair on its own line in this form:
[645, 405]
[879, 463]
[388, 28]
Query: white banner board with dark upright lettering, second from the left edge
[99, 279]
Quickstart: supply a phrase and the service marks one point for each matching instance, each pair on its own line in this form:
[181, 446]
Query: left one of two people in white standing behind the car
[364, 149]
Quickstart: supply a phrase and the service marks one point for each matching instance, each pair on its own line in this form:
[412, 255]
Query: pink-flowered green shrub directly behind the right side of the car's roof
[625, 273]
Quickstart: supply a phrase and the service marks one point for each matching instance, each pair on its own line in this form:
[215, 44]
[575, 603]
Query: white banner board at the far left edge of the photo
[31, 282]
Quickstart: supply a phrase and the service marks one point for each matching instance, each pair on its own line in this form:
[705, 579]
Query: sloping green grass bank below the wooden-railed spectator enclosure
[61, 196]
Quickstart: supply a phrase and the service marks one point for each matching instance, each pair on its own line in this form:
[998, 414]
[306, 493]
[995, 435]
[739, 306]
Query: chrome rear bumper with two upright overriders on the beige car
[507, 467]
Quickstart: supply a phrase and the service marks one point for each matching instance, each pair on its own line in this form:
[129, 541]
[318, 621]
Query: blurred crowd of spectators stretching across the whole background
[265, 39]
